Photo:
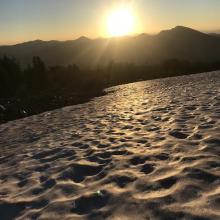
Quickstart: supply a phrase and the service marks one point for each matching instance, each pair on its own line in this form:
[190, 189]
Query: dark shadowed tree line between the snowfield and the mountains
[38, 88]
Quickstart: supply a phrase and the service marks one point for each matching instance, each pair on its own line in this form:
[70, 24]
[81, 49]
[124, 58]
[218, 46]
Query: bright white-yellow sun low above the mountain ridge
[120, 22]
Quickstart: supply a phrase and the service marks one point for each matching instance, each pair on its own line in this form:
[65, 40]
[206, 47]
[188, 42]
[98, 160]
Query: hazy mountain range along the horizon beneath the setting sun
[178, 43]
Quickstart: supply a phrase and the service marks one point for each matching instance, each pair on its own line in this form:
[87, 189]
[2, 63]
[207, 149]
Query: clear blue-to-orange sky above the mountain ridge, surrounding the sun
[25, 20]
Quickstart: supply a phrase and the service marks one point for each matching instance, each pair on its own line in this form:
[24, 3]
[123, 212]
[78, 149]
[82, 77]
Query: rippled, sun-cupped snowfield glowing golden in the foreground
[147, 150]
